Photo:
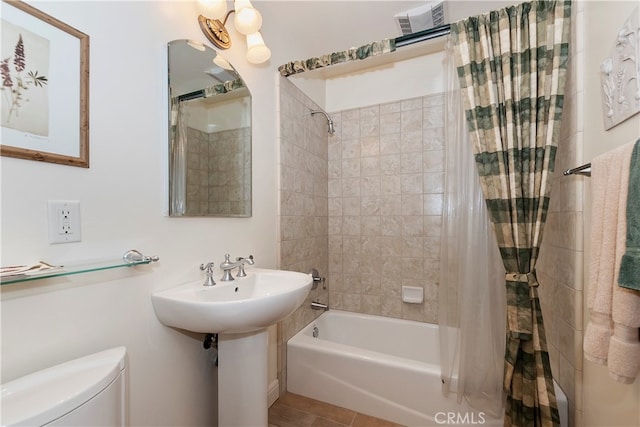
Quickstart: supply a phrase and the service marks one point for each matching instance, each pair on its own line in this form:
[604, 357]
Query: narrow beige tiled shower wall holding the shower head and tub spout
[303, 208]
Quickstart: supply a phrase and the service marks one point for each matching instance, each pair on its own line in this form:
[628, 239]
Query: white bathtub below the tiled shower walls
[379, 366]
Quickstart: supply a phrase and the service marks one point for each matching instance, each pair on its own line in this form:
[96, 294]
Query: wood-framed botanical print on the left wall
[44, 68]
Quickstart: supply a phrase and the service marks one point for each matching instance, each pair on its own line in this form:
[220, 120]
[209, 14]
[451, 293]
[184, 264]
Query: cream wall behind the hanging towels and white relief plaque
[606, 402]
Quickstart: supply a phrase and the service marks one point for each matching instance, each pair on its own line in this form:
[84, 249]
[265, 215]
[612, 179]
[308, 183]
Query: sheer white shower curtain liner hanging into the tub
[471, 294]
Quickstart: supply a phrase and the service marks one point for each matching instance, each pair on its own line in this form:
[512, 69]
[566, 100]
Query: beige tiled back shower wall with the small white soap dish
[386, 179]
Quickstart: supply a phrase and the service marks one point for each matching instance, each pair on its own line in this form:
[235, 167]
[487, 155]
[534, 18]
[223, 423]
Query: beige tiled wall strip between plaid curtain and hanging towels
[560, 267]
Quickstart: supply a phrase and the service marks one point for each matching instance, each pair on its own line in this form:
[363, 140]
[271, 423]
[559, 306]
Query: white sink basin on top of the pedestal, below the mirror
[246, 304]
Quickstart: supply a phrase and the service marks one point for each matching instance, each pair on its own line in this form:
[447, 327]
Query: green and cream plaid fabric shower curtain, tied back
[512, 68]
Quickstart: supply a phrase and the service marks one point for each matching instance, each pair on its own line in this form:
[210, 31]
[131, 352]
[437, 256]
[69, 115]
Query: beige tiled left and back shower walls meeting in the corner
[363, 206]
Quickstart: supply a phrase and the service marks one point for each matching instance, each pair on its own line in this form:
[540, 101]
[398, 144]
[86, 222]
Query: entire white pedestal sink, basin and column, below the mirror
[239, 311]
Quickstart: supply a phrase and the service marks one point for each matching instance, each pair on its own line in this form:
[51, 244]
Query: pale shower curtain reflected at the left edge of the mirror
[178, 154]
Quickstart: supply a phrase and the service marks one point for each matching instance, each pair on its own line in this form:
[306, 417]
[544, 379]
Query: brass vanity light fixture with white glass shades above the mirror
[247, 21]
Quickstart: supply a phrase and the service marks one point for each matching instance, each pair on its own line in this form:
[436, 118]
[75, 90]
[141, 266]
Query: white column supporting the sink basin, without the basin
[243, 379]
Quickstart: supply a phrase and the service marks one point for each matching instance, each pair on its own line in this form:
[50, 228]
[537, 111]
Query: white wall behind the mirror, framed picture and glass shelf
[121, 196]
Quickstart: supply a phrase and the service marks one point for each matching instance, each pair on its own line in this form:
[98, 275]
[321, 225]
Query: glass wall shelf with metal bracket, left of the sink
[129, 259]
